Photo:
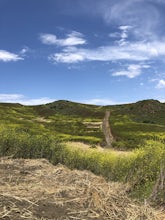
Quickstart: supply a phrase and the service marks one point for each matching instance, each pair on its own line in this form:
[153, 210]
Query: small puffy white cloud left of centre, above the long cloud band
[72, 39]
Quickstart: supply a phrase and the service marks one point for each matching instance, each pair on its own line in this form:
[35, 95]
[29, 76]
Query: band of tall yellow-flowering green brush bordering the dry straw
[140, 168]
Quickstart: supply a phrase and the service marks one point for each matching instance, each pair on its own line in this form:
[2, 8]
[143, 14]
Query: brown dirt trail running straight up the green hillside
[107, 130]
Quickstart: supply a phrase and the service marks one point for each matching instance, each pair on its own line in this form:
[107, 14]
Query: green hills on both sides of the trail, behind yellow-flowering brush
[131, 123]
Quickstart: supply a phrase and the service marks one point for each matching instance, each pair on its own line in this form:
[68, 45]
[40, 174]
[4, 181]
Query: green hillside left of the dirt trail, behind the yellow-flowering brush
[52, 120]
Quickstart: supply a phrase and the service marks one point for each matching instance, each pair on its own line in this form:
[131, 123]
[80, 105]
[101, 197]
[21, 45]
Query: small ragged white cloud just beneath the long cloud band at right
[132, 71]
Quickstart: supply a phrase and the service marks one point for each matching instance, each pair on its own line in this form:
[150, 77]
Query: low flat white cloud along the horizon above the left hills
[18, 98]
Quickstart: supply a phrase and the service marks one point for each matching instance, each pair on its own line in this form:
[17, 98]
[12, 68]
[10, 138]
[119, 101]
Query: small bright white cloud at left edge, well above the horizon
[6, 56]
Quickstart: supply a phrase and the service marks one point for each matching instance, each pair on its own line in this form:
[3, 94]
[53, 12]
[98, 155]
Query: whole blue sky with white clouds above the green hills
[91, 51]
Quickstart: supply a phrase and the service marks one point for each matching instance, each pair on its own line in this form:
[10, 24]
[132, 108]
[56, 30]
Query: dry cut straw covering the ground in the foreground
[35, 189]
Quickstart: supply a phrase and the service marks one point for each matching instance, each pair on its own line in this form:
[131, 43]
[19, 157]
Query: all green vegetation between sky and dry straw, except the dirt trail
[41, 131]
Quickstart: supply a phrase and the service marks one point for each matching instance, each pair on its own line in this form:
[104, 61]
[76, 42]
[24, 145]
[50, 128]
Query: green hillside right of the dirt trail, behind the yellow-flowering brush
[133, 123]
